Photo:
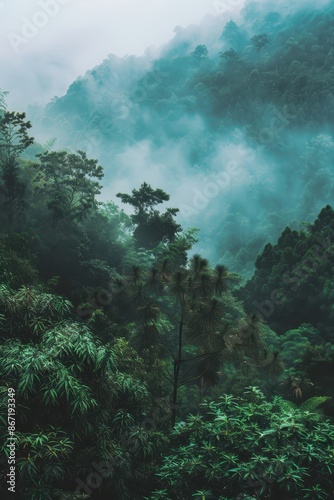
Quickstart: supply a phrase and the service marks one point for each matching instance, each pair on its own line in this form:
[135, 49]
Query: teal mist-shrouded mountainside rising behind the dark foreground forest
[255, 93]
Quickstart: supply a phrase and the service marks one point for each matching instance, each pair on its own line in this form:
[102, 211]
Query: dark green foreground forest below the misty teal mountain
[111, 337]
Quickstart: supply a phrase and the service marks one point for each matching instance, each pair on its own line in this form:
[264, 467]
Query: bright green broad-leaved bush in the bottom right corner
[249, 446]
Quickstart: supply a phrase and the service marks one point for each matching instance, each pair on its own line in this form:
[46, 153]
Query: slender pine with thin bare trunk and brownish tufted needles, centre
[205, 320]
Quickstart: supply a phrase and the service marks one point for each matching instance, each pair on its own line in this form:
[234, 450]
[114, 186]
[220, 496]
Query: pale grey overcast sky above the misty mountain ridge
[46, 44]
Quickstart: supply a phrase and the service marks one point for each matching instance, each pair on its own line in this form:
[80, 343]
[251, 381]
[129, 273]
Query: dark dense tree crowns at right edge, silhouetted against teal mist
[296, 269]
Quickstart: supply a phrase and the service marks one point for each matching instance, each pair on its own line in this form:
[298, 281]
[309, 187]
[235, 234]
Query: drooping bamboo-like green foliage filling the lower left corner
[77, 400]
